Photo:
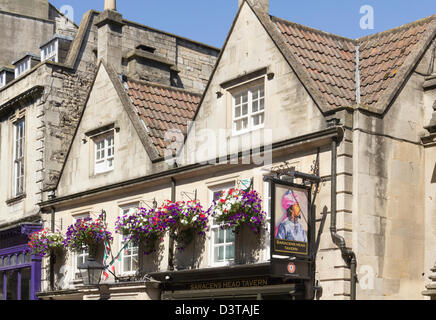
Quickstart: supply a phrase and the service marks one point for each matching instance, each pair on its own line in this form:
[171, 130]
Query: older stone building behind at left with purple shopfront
[47, 69]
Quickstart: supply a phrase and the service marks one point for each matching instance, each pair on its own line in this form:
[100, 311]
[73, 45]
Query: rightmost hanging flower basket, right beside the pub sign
[236, 208]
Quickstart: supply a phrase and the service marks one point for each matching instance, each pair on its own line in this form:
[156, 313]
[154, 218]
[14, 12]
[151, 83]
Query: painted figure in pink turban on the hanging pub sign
[290, 228]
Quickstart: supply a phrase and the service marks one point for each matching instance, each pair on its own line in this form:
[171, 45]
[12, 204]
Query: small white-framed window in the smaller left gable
[103, 162]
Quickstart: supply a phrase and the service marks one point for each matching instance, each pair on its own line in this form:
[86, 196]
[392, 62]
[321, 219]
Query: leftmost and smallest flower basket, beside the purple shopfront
[45, 243]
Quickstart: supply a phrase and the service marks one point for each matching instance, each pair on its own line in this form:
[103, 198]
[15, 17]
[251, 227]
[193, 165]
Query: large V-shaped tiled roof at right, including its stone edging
[328, 67]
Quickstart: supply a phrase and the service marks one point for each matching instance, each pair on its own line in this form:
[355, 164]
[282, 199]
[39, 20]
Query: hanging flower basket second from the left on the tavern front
[87, 234]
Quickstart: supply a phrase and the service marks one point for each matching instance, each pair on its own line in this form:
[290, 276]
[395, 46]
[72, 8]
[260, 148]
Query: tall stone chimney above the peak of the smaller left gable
[110, 35]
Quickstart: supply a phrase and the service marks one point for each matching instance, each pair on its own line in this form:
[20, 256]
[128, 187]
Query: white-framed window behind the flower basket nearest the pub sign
[223, 240]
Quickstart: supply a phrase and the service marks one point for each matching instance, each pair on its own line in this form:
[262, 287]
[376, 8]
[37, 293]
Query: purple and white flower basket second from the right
[188, 219]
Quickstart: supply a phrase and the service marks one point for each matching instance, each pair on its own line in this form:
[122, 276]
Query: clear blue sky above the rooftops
[209, 21]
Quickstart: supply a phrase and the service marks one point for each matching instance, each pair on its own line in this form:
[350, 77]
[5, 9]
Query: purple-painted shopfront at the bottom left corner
[20, 271]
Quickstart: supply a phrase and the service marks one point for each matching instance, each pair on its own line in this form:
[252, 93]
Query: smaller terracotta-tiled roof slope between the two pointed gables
[162, 109]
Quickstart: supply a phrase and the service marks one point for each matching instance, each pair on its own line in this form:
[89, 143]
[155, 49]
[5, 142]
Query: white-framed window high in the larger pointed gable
[248, 108]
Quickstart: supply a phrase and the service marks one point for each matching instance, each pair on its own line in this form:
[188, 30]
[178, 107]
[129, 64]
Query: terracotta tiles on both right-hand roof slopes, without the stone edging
[330, 60]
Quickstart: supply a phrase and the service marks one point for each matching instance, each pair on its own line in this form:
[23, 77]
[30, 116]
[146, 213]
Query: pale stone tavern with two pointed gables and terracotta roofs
[358, 113]
